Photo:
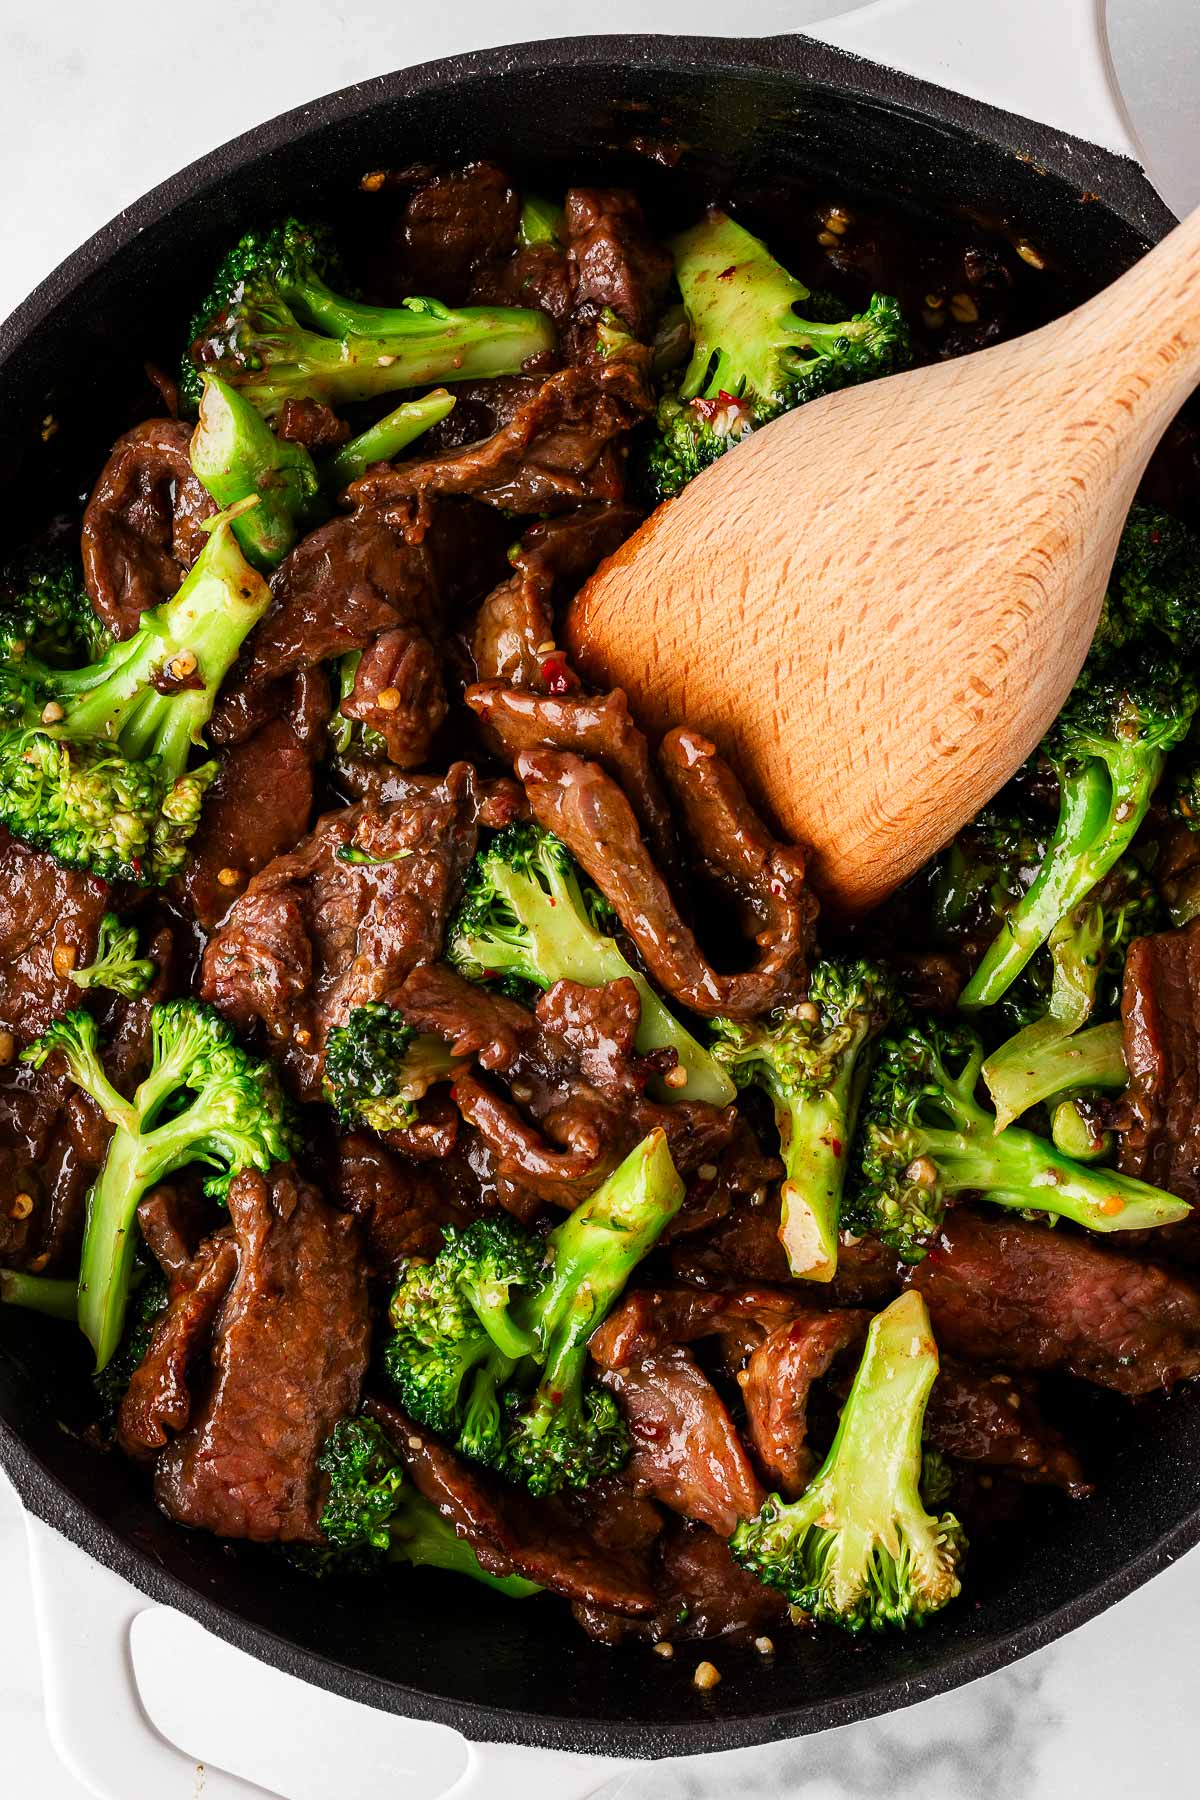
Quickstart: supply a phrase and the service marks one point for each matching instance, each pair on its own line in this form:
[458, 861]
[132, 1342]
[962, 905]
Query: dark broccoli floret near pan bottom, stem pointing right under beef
[373, 1515]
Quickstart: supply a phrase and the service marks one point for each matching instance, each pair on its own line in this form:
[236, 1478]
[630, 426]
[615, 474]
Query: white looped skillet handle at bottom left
[102, 1731]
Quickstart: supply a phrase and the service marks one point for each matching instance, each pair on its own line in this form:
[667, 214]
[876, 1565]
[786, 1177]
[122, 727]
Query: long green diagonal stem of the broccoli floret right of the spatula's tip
[1102, 809]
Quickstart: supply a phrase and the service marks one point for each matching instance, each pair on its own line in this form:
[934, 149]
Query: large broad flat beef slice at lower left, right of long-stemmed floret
[291, 1353]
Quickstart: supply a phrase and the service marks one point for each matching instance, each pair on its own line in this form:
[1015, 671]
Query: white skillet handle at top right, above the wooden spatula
[1046, 60]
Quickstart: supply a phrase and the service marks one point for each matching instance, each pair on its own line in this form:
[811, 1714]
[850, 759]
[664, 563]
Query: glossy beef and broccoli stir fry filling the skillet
[443, 1120]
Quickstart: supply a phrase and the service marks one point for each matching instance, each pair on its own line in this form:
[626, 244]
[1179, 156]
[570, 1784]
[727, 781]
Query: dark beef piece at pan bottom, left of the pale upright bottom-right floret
[701, 1594]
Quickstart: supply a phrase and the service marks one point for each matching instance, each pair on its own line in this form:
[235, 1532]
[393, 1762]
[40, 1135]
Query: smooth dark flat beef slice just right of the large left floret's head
[258, 809]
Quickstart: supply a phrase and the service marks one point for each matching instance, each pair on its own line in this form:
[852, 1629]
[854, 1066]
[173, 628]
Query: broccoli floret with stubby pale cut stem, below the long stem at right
[1086, 957]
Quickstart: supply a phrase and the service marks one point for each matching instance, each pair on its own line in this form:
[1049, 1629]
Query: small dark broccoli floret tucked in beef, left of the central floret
[379, 1068]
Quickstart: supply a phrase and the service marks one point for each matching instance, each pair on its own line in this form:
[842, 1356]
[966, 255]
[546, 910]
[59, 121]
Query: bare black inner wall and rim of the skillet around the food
[748, 114]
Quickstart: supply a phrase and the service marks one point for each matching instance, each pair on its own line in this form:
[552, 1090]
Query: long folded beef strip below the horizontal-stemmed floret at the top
[555, 453]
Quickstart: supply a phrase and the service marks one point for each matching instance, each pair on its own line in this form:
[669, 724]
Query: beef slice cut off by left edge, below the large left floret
[49, 922]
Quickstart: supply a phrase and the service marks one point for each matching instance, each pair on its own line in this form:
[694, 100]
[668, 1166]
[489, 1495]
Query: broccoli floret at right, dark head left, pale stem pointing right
[926, 1138]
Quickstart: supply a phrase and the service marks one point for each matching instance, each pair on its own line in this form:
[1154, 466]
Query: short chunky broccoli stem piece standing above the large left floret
[235, 454]
